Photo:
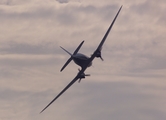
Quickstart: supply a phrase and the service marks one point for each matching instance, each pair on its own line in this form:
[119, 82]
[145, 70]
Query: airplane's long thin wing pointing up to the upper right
[106, 34]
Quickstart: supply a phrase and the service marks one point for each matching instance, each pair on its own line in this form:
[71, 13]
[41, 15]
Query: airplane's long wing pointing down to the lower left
[70, 84]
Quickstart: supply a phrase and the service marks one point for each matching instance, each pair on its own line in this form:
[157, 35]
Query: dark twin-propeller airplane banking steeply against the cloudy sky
[83, 61]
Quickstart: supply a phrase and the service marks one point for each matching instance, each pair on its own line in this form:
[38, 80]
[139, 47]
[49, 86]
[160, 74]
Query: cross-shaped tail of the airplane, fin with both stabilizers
[71, 58]
